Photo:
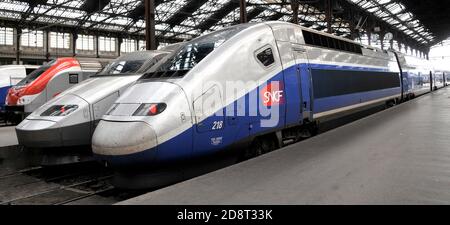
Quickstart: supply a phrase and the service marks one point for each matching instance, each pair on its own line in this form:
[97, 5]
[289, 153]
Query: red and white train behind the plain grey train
[47, 82]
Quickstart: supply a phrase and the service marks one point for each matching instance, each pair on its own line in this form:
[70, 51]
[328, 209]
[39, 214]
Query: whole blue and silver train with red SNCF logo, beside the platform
[253, 86]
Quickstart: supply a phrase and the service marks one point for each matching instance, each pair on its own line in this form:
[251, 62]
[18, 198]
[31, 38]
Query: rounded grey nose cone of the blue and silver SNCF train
[112, 139]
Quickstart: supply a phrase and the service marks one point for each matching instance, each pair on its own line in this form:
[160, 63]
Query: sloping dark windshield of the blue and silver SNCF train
[191, 53]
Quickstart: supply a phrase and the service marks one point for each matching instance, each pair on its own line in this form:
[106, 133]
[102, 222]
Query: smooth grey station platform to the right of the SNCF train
[398, 156]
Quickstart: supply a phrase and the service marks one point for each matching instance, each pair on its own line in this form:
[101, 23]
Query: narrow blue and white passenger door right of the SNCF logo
[304, 76]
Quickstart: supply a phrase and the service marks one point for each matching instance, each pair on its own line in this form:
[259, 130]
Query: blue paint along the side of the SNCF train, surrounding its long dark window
[191, 143]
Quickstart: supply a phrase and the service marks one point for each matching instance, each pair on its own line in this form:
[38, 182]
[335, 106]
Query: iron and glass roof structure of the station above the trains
[178, 20]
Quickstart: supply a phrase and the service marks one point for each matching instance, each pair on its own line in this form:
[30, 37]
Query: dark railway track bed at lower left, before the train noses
[85, 183]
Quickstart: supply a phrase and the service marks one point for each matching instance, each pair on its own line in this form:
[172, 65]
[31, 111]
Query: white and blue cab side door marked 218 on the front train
[210, 125]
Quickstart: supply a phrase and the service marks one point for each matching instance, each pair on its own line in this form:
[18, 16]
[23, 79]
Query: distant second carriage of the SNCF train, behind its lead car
[417, 74]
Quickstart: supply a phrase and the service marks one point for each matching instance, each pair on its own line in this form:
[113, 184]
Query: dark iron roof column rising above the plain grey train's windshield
[150, 36]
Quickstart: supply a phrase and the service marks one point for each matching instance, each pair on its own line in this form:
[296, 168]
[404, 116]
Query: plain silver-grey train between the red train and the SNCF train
[70, 118]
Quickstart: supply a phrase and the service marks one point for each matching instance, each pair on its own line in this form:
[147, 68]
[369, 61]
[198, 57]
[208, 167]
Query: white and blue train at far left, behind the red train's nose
[10, 75]
